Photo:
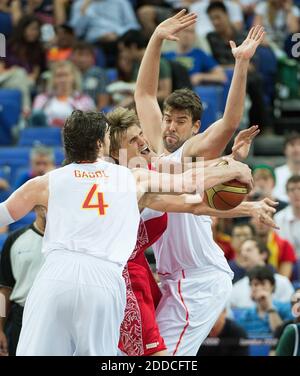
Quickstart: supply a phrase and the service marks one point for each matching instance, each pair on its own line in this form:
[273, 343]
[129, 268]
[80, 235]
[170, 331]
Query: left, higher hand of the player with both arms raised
[173, 25]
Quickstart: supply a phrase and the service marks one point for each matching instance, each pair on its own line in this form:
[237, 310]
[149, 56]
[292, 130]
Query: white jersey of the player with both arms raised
[188, 241]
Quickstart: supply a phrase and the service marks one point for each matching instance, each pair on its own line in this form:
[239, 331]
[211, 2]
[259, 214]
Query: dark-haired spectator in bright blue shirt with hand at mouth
[268, 314]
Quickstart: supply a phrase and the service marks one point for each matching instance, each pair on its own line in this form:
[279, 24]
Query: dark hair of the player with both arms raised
[184, 99]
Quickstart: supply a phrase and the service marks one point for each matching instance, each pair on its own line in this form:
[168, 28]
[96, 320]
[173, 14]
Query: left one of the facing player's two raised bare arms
[145, 96]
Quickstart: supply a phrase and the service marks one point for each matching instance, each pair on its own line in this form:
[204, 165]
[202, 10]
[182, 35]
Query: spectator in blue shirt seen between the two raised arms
[202, 68]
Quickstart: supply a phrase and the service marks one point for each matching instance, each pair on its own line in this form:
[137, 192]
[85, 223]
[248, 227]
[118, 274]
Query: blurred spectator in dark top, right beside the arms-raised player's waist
[240, 233]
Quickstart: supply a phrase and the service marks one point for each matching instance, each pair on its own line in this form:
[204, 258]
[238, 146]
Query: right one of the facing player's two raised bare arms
[213, 141]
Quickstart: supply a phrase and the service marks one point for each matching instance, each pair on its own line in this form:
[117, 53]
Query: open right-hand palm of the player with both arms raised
[247, 49]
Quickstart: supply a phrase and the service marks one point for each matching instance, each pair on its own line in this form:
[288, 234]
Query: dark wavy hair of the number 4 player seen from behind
[81, 132]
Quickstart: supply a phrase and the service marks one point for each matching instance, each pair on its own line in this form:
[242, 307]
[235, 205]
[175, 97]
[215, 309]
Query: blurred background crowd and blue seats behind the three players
[63, 55]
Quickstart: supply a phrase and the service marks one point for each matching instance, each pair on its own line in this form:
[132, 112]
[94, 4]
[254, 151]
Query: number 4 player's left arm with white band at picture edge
[23, 200]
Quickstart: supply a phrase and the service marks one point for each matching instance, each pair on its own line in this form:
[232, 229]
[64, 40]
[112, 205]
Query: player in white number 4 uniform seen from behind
[77, 301]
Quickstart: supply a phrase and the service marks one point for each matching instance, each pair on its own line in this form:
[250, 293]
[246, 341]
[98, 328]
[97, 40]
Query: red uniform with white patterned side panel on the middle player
[139, 334]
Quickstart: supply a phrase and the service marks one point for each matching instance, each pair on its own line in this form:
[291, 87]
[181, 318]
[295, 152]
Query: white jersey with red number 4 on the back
[92, 209]
